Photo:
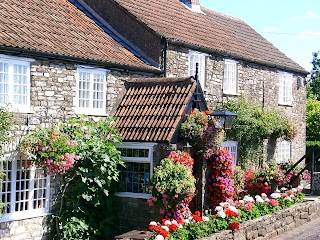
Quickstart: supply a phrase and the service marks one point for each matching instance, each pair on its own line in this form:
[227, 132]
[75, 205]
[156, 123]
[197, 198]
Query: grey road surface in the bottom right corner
[308, 231]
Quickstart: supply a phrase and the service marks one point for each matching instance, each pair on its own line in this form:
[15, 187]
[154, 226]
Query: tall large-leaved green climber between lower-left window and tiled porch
[86, 207]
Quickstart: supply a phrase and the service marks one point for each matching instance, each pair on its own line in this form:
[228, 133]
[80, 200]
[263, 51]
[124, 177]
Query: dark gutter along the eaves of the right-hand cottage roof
[236, 56]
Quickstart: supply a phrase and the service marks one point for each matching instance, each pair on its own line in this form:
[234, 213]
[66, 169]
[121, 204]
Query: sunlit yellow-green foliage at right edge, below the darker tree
[313, 120]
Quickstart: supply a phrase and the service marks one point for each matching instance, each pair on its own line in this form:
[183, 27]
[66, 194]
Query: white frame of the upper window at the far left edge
[11, 61]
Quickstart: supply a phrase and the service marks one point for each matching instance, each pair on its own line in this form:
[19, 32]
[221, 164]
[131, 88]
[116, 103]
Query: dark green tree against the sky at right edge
[313, 88]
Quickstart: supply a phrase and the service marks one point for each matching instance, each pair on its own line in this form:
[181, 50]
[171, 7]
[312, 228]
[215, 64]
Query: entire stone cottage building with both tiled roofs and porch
[53, 52]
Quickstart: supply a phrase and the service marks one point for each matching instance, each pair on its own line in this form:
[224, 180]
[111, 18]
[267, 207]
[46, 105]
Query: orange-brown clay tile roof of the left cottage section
[58, 27]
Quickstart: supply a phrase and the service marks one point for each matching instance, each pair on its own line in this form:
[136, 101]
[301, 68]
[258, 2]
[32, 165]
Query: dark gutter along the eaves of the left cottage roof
[69, 59]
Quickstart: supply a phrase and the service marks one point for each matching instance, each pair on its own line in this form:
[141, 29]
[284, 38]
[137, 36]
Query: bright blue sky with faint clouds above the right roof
[292, 26]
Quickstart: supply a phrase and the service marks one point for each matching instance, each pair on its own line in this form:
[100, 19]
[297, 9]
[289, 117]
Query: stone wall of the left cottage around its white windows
[53, 94]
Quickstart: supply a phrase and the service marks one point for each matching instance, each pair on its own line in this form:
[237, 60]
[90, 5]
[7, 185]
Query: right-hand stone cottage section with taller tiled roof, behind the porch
[233, 60]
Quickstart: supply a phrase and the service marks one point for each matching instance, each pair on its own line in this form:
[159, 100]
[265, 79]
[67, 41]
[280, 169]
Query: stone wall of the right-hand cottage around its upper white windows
[258, 83]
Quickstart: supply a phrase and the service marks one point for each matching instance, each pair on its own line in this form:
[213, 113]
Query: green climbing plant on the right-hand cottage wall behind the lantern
[255, 124]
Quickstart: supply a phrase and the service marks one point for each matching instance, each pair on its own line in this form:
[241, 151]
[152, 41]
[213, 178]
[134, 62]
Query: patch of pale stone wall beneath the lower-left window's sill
[27, 229]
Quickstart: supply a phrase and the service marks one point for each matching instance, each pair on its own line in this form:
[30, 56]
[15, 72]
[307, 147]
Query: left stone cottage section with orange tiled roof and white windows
[51, 56]
